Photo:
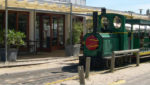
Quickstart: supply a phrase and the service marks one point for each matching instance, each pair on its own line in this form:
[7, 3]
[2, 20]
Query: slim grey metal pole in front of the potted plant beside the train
[71, 29]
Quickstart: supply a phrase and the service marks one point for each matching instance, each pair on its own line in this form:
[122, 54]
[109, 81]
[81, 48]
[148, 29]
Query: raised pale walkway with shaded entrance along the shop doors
[40, 58]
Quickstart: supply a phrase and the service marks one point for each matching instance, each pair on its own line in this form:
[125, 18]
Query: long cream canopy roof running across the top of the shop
[60, 7]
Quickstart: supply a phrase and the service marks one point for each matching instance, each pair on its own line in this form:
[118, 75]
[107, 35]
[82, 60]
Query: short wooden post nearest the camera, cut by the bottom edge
[81, 75]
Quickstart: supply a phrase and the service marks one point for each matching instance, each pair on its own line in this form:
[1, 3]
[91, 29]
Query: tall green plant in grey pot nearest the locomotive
[74, 49]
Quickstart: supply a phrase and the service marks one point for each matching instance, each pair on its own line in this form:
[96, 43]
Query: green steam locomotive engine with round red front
[109, 34]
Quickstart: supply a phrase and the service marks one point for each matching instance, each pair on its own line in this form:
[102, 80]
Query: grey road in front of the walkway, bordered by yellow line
[40, 77]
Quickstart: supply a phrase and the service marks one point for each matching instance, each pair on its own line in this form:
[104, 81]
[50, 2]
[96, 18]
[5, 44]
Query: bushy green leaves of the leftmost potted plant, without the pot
[14, 39]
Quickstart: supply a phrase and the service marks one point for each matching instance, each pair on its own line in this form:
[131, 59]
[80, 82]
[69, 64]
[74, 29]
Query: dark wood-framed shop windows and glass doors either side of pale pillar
[49, 30]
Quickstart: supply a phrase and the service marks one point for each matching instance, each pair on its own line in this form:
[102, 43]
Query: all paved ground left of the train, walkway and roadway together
[38, 70]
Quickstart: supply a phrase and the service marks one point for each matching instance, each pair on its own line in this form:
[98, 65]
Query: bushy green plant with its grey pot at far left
[14, 40]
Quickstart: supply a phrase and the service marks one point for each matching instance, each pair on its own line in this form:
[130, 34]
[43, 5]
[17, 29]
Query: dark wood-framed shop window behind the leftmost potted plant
[19, 21]
